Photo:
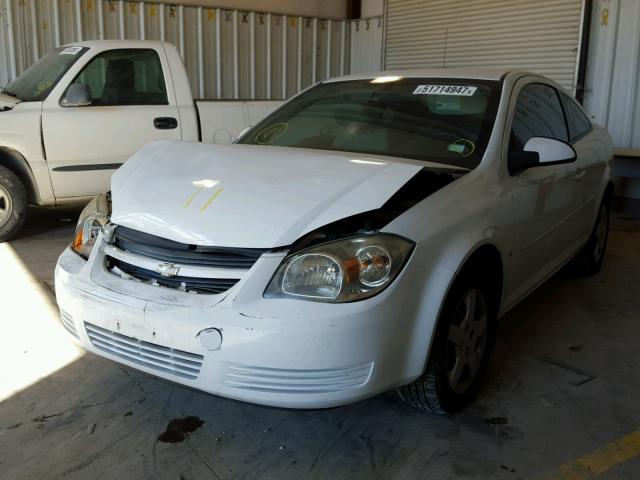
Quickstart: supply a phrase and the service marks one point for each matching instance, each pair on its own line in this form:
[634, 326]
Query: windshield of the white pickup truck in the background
[35, 83]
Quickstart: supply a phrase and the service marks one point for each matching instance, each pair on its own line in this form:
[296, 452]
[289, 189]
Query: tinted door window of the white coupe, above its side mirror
[538, 113]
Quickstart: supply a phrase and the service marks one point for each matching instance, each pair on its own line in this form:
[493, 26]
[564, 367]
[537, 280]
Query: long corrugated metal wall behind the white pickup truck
[228, 53]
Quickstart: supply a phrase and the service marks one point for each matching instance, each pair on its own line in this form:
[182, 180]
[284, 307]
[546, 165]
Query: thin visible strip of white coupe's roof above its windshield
[470, 73]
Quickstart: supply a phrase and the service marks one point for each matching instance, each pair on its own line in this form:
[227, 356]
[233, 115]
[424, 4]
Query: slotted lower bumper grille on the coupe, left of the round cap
[156, 357]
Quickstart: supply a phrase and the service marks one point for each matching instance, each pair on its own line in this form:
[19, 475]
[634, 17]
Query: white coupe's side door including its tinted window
[544, 198]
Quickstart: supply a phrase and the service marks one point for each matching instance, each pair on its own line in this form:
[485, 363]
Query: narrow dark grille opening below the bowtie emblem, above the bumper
[209, 286]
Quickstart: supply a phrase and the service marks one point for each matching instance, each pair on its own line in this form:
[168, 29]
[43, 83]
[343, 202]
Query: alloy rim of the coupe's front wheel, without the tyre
[467, 340]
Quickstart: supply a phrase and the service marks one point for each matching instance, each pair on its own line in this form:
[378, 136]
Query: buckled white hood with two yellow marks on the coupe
[247, 196]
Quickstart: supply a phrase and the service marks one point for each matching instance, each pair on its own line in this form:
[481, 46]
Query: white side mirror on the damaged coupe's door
[540, 152]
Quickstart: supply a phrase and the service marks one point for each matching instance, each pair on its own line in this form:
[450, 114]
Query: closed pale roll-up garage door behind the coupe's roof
[538, 35]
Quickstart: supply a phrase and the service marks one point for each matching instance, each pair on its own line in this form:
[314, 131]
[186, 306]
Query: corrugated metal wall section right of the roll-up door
[612, 94]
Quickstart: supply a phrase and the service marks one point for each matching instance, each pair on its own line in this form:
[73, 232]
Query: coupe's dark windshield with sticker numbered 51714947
[434, 119]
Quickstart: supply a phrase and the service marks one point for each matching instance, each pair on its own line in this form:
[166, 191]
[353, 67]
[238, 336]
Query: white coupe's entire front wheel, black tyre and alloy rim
[459, 352]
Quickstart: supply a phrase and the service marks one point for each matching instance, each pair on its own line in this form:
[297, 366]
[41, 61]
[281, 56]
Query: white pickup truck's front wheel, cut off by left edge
[13, 204]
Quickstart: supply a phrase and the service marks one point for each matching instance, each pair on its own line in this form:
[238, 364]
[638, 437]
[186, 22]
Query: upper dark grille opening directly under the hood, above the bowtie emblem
[184, 254]
